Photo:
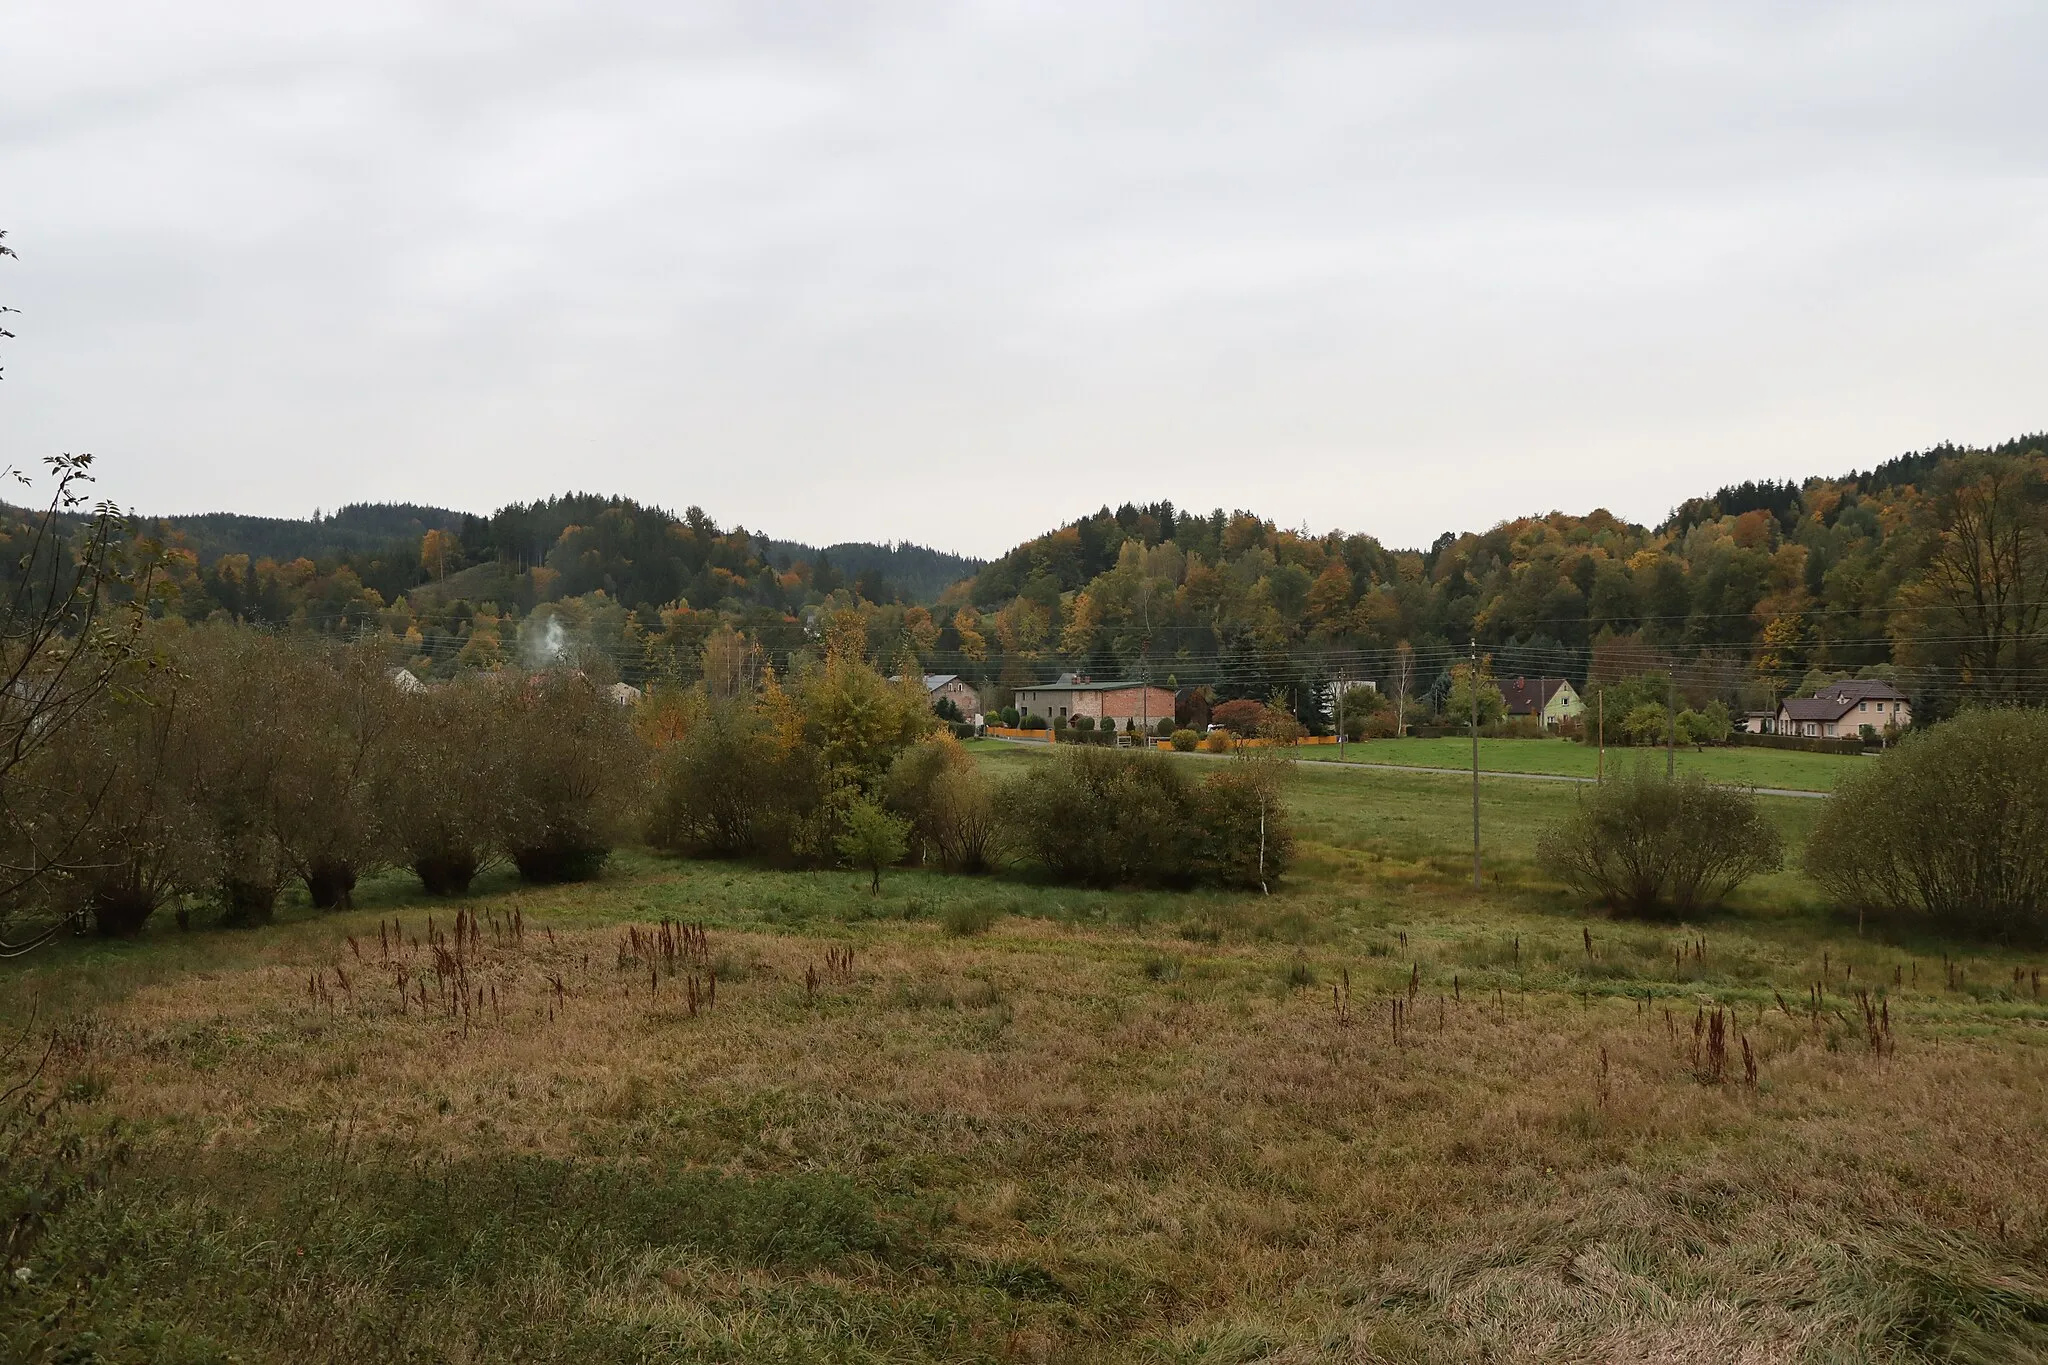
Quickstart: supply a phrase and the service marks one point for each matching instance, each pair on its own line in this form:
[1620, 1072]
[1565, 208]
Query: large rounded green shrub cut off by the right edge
[1953, 826]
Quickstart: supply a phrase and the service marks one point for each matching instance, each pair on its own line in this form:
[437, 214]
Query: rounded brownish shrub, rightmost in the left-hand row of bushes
[574, 773]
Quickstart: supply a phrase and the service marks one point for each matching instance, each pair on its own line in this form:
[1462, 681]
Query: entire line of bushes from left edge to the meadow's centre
[232, 764]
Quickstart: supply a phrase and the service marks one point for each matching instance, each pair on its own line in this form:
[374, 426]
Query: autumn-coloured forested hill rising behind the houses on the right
[1932, 568]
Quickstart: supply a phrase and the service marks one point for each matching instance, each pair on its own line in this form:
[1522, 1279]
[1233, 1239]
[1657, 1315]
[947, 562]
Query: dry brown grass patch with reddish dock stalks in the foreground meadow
[1209, 1163]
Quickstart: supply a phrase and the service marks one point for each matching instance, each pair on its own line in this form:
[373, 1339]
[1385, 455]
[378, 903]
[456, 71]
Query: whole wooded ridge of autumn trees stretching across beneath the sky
[1932, 568]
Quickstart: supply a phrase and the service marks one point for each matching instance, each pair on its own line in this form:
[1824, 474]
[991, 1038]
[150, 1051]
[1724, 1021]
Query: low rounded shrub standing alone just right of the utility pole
[1648, 844]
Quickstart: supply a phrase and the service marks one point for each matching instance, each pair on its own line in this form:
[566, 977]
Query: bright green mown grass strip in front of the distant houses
[1775, 768]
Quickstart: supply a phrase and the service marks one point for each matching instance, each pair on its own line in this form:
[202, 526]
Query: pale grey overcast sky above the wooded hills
[957, 273]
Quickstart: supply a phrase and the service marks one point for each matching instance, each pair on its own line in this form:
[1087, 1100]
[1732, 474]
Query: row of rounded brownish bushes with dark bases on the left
[230, 764]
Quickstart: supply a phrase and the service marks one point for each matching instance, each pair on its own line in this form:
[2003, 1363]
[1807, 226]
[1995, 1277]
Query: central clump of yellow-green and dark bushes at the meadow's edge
[843, 764]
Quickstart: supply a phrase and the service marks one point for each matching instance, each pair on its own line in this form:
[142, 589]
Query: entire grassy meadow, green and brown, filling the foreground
[1373, 1116]
